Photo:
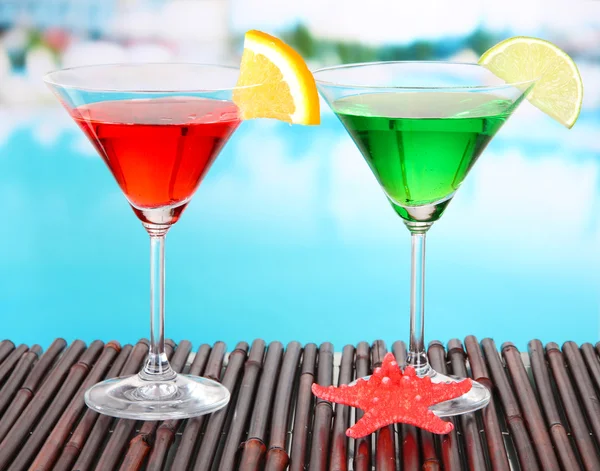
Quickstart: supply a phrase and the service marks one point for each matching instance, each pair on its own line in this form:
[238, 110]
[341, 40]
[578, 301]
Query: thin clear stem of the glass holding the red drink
[157, 367]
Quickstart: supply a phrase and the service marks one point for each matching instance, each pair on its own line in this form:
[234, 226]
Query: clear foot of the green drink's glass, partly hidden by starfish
[477, 398]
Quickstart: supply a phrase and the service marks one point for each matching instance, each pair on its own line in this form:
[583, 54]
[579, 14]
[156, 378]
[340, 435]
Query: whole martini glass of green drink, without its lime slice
[421, 126]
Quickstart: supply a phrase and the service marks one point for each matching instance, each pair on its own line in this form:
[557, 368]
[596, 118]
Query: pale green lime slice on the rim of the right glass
[558, 91]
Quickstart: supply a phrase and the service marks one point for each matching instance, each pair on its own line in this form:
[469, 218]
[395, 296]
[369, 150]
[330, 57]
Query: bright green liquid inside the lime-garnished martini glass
[421, 145]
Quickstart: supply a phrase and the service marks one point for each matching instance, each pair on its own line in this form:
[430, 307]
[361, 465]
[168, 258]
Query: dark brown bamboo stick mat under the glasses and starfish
[545, 414]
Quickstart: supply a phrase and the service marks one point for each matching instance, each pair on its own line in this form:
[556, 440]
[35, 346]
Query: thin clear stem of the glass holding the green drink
[417, 358]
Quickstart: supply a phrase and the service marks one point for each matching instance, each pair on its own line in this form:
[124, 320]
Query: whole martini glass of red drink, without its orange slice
[158, 128]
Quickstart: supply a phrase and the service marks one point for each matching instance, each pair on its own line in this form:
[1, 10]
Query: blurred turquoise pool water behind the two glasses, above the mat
[289, 237]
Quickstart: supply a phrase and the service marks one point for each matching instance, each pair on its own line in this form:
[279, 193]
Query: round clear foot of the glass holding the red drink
[132, 397]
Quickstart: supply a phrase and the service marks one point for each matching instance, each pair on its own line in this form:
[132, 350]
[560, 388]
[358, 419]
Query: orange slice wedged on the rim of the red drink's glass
[275, 82]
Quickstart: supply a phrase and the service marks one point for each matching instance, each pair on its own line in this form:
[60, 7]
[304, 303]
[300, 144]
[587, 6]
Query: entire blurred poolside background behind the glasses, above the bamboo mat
[289, 236]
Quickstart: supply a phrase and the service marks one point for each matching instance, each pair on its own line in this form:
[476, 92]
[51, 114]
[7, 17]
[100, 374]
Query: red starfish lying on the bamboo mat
[390, 396]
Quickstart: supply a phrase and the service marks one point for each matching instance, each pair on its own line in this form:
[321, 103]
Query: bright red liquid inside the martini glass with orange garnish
[159, 149]
